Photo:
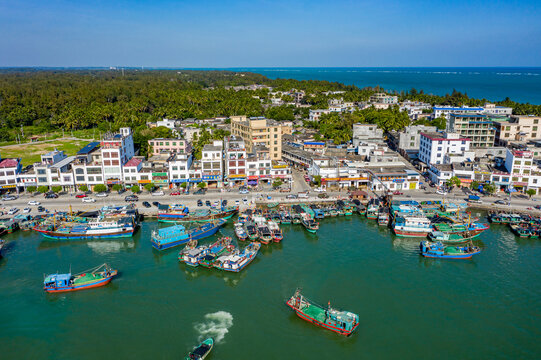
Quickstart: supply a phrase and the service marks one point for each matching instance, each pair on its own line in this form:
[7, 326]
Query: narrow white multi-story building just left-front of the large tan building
[235, 160]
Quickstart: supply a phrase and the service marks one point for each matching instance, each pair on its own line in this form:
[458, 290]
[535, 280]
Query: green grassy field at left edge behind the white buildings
[30, 153]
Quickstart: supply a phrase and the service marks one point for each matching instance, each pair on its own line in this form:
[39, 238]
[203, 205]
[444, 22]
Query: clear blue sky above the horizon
[270, 33]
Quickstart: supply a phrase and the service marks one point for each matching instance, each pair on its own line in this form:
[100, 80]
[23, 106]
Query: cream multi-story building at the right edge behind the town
[518, 128]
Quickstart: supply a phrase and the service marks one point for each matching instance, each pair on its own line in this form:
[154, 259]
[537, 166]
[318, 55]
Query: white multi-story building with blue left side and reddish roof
[434, 146]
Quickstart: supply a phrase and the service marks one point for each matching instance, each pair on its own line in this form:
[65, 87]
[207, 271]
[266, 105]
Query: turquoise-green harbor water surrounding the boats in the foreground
[410, 307]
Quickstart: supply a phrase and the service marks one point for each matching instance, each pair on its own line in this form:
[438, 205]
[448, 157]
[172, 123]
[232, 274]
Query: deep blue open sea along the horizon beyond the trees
[494, 84]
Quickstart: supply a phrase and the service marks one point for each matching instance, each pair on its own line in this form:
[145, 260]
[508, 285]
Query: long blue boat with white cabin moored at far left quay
[100, 228]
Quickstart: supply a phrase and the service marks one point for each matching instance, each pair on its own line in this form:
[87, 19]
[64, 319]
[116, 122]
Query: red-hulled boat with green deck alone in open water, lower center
[341, 322]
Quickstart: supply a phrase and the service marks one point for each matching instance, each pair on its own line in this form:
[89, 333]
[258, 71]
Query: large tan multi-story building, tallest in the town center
[260, 131]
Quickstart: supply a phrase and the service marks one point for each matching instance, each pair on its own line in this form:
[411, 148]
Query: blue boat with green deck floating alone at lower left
[92, 278]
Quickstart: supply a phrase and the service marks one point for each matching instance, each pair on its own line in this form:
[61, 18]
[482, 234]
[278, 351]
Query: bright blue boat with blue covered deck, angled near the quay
[175, 235]
